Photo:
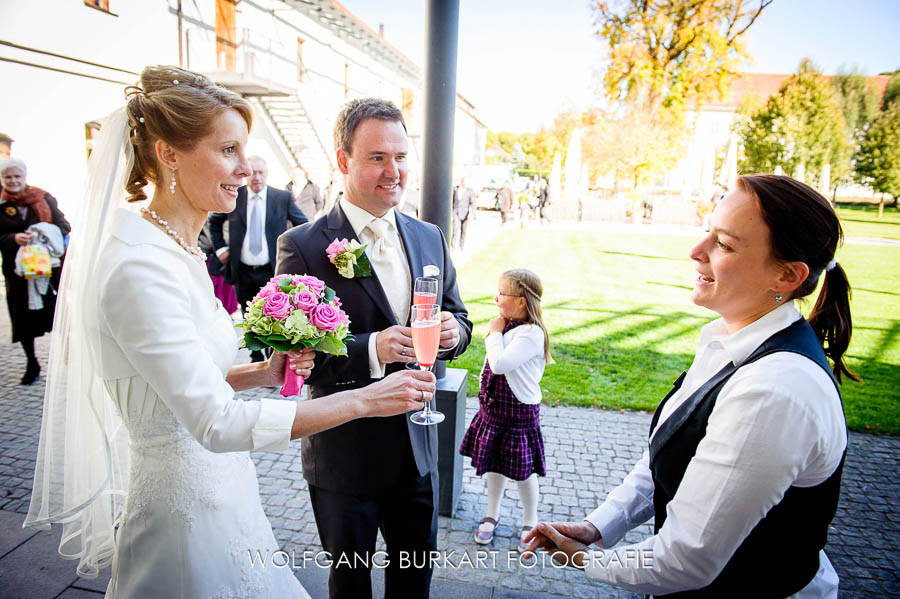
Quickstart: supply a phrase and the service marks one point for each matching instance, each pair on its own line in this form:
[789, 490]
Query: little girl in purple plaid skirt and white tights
[504, 439]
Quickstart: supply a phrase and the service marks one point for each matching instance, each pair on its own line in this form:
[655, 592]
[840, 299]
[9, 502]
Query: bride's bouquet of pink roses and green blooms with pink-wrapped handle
[296, 312]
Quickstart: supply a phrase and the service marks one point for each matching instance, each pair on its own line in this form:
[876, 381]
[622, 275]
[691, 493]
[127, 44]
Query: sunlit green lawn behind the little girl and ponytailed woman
[623, 327]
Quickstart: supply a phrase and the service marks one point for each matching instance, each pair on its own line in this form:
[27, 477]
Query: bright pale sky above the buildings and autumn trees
[522, 61]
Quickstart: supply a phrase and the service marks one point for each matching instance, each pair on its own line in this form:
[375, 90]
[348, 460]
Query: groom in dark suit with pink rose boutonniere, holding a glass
[374, 473]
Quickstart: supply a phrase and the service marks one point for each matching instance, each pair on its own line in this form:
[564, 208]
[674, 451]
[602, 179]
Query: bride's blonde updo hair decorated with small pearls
[178, 107]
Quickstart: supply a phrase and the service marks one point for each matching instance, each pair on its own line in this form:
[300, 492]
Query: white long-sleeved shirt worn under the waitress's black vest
[776, 423]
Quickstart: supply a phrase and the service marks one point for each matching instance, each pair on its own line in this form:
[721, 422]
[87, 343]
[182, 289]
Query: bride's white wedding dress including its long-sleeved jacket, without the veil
[193, 517]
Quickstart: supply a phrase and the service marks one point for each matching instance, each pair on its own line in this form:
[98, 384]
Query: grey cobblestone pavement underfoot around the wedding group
[588, 452]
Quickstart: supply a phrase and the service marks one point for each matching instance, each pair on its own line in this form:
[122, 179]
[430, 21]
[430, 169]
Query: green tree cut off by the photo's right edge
[878, 157]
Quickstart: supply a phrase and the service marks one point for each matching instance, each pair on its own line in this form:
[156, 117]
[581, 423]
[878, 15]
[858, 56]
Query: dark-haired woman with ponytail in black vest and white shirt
[742, 472]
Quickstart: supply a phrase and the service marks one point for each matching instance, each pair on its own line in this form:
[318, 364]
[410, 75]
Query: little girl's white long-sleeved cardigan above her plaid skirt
[519, 355]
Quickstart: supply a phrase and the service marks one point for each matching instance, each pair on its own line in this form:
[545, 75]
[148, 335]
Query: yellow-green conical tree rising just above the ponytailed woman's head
[801, 127]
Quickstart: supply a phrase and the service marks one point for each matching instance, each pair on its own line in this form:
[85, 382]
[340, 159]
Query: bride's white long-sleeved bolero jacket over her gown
[166, 339]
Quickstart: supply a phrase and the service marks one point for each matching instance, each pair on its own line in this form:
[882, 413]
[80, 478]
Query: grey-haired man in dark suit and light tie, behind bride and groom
[254, 226]
